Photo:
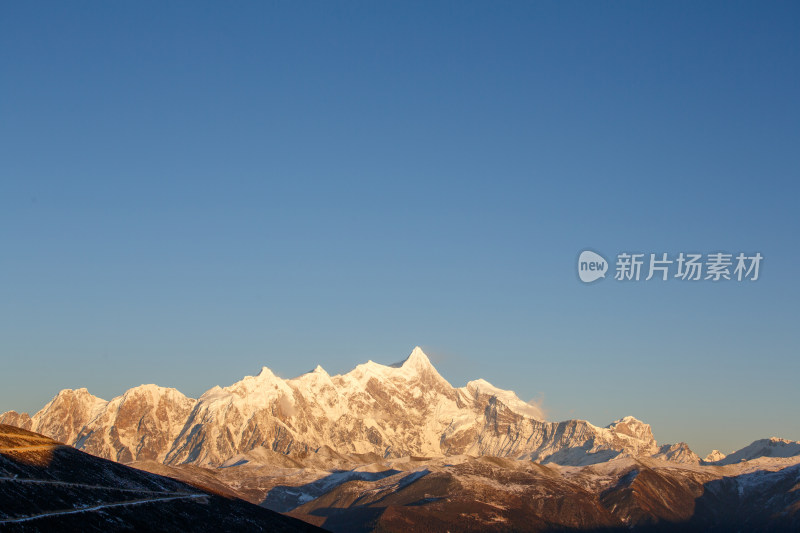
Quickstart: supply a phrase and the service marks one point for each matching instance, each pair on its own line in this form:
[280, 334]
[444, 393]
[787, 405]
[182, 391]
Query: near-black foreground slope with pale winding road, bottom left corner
[47, 486]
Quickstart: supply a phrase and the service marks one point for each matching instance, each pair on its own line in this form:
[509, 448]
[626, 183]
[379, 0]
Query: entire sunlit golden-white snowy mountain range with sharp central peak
[405, 409]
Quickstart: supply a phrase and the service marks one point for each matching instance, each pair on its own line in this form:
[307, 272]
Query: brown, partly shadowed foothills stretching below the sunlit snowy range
[466, 493]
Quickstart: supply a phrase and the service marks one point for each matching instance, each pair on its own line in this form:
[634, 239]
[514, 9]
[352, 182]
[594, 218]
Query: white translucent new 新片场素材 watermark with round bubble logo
[685, 266]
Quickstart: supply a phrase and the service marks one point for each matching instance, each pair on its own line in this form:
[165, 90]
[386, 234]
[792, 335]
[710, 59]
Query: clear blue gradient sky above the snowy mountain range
[193, 190]
